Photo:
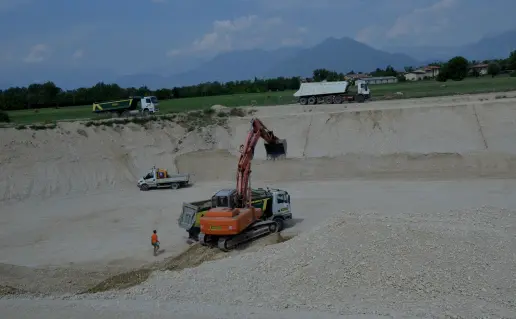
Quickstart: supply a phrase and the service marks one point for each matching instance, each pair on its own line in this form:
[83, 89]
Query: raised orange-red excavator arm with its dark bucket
[274, 148]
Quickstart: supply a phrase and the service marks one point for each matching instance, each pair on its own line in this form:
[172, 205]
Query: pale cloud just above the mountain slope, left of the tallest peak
[247, 32]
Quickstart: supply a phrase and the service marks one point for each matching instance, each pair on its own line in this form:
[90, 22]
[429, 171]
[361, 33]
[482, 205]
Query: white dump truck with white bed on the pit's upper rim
[332, 92]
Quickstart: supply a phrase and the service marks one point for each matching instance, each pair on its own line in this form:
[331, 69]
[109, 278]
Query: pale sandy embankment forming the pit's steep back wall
[470, 139]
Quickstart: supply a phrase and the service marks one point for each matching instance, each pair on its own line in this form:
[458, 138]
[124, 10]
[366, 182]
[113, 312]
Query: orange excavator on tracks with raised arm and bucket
[233, 220]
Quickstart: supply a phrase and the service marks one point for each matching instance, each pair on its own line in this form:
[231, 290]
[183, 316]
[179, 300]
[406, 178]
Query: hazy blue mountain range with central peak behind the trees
[341, 55]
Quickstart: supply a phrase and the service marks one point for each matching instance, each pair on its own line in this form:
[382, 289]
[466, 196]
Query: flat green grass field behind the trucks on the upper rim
[379, 92]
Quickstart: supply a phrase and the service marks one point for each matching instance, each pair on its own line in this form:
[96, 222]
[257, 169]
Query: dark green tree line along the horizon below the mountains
[49, 95]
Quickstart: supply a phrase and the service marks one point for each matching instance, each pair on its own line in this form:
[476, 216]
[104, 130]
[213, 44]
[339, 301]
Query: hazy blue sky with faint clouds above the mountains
[170, 36]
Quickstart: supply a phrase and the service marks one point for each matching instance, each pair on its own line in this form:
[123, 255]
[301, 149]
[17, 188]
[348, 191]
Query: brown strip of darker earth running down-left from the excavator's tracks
[194, 256]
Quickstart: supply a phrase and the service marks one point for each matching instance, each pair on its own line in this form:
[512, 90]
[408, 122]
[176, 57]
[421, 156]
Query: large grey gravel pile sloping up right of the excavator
[456, 264]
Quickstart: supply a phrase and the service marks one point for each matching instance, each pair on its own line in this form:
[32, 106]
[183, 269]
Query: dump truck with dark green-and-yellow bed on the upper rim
[134, 105]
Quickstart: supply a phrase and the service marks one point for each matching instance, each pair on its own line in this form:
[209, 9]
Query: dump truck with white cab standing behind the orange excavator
[274, 203]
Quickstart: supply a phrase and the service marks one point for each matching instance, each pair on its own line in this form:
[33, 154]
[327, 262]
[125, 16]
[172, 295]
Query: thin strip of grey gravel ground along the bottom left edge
[129, 309]
